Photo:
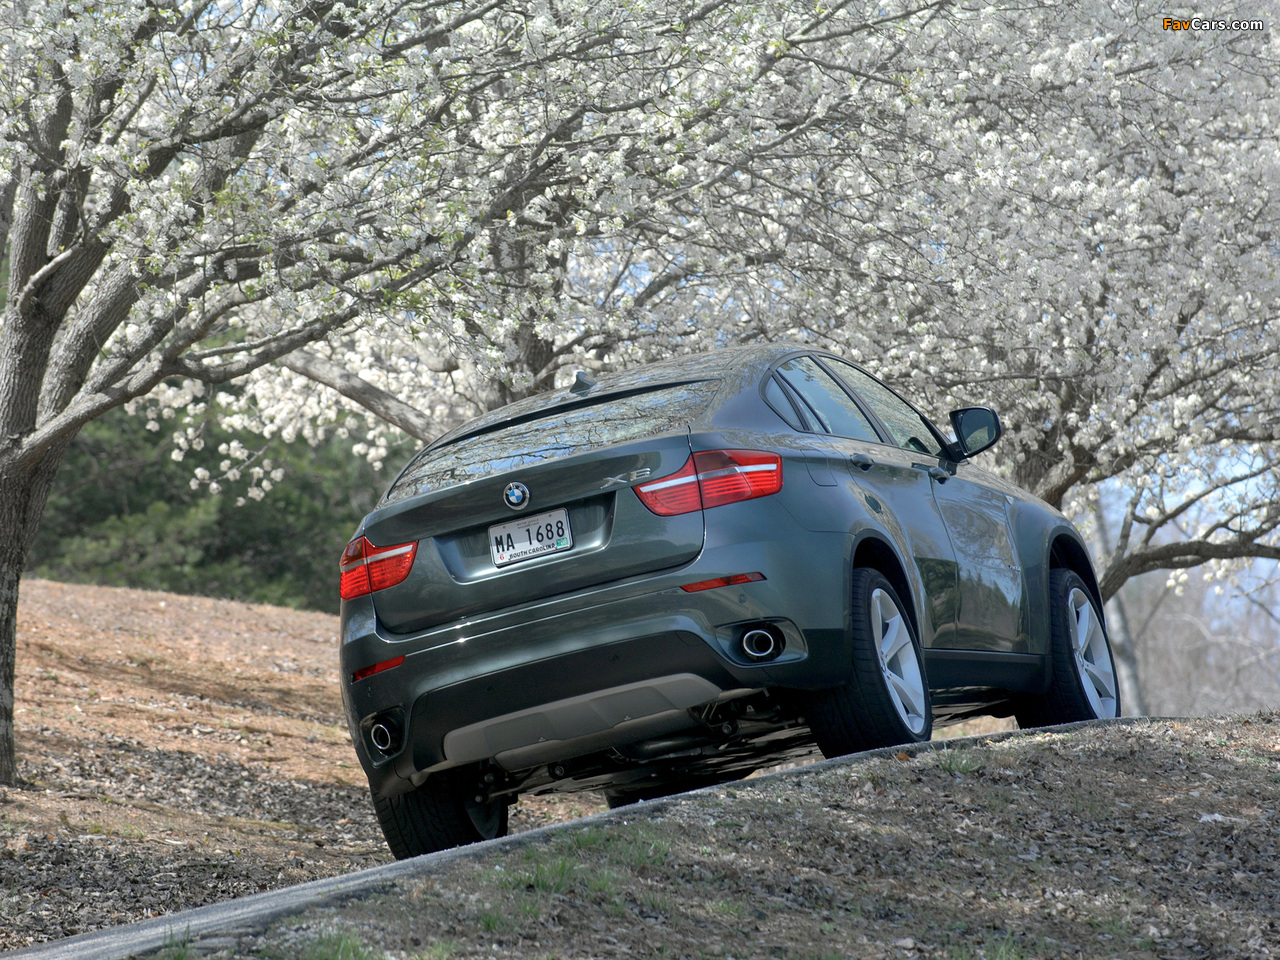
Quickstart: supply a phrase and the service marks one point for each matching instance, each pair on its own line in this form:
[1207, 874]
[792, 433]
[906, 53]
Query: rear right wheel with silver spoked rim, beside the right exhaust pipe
[888, 701]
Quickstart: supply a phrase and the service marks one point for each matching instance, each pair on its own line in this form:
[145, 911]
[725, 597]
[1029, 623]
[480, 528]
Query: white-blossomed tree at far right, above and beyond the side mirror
[1107, 228]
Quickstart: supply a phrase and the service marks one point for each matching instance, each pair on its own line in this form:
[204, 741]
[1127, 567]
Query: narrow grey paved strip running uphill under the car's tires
[254, 913]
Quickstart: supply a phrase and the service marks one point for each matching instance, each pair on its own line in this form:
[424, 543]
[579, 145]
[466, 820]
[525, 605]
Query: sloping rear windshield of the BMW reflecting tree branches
[563, 433]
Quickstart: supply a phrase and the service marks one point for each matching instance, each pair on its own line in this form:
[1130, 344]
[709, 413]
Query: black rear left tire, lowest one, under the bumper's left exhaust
[442, 813]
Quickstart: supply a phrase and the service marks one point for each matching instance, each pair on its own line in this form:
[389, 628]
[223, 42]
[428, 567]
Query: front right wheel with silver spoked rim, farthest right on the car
[1084, 685]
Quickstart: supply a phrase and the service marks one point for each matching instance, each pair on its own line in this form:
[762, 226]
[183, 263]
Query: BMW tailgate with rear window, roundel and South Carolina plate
[578, 476]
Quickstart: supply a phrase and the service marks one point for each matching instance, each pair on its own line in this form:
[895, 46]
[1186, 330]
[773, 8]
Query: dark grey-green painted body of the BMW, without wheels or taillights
[593, 669]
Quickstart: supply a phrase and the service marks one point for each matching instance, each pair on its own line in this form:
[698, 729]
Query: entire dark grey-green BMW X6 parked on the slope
[678, 575]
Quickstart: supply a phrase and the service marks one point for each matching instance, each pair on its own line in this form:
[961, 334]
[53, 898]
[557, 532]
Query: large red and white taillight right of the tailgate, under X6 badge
[712, 479]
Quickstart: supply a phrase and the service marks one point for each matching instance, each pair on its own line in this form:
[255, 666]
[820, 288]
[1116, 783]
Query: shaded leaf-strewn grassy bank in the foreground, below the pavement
[1154, 840]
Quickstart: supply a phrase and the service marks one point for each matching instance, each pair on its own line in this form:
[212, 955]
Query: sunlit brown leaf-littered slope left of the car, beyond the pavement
[179, 751]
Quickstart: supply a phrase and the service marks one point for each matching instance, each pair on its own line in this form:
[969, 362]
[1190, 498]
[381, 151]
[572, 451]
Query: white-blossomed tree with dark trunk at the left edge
[202, 198]
